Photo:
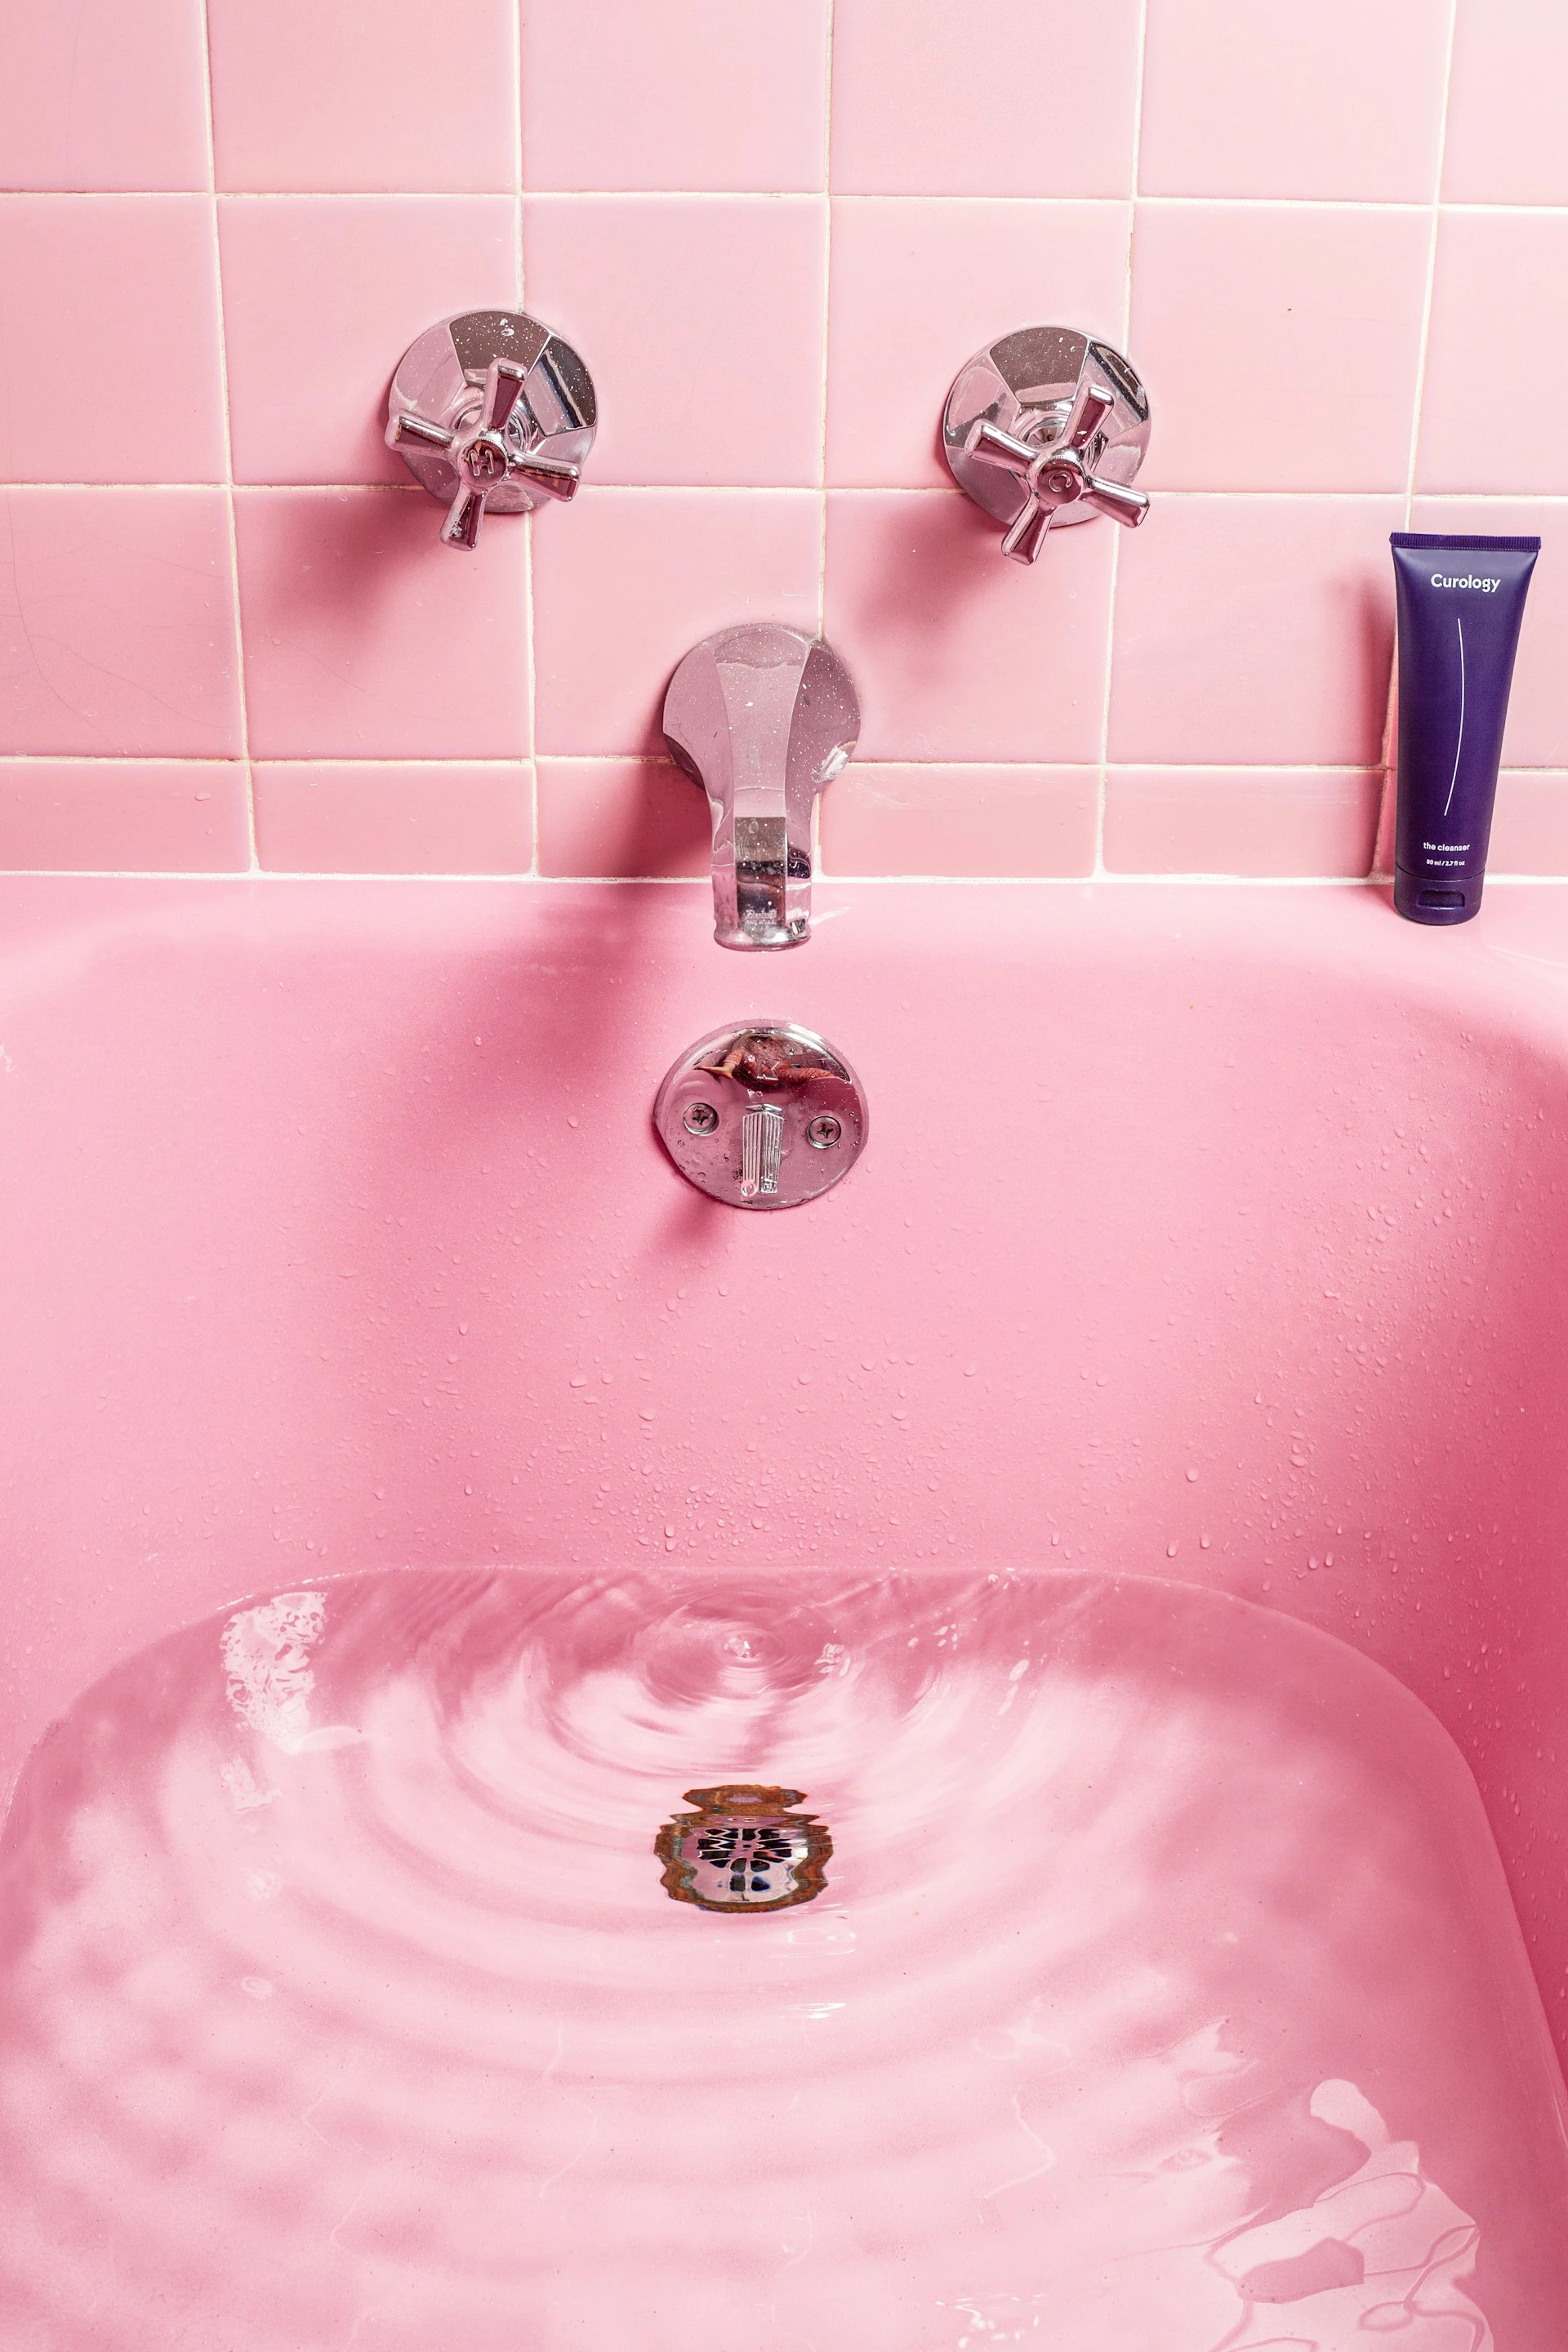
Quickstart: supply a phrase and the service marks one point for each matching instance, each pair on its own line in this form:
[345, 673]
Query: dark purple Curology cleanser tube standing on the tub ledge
[1461, 603]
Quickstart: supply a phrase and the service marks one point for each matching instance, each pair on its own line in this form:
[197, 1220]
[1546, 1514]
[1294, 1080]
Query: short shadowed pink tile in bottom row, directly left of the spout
[619, 820]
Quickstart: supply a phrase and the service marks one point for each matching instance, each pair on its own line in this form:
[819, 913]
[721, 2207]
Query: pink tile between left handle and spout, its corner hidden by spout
[631, 580]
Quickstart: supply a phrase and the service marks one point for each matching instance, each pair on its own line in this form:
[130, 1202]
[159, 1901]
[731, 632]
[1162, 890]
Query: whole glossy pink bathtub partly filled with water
[1130, 1506]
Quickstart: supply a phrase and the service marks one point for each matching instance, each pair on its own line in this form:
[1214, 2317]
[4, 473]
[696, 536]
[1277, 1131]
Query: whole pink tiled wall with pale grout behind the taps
[229, 639]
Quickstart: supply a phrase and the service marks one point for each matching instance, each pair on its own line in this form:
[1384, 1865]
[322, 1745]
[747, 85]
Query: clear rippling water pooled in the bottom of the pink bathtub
[1151, 2005]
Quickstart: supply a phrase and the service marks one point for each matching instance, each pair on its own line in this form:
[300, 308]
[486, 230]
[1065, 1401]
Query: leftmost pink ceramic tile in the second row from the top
[147, 267]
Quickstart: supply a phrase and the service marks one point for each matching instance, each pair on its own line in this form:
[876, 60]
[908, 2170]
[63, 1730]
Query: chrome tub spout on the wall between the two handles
[763, 719]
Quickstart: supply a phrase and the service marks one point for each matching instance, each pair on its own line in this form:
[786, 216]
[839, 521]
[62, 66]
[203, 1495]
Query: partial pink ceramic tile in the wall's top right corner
[1506, 105]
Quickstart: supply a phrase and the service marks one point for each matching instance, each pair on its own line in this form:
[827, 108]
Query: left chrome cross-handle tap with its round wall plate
[492, 413]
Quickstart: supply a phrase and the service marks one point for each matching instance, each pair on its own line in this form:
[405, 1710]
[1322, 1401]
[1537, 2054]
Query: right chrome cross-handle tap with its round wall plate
[1045, 429]
